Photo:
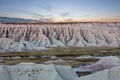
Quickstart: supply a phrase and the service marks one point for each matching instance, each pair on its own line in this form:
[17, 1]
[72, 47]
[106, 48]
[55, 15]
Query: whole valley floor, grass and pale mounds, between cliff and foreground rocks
[83, 60]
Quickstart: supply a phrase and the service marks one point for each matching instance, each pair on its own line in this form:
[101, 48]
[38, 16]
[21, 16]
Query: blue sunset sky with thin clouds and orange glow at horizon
[62, 10]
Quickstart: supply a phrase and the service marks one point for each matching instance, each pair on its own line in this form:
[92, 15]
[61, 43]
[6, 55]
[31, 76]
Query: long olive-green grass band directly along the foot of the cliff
[65, 51]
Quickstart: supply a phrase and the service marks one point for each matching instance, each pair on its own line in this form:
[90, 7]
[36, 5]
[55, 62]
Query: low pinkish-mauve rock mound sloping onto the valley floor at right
[104, 63]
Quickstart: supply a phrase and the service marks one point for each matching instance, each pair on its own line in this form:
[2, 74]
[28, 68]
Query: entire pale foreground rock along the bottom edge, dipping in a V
[31, 71]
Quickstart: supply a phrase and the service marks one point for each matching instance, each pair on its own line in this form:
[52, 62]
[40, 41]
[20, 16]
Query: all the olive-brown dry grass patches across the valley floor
[65, 53]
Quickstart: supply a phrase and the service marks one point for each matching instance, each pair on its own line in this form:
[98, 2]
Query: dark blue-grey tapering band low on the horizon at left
[13, 20]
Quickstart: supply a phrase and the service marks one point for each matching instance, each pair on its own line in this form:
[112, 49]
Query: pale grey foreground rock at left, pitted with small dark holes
[31, 71]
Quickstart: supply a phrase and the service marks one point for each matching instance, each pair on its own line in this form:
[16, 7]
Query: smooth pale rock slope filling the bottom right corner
[108, 74]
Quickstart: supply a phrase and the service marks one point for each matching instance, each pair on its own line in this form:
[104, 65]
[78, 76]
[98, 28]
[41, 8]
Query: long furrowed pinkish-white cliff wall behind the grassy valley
[28, 36]
